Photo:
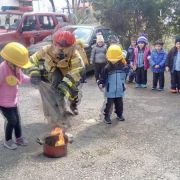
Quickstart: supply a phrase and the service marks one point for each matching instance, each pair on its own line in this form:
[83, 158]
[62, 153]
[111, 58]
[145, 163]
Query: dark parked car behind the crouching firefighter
[87, 33]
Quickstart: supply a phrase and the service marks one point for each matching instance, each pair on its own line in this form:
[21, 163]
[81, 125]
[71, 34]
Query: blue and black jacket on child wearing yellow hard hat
[113, 79]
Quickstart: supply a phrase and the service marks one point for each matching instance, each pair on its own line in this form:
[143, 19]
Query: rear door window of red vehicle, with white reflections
[46, 22]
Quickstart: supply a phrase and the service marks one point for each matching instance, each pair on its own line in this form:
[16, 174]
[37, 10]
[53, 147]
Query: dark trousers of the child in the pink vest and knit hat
[141, 76]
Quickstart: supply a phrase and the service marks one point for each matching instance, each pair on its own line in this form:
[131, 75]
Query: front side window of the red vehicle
[30, 23]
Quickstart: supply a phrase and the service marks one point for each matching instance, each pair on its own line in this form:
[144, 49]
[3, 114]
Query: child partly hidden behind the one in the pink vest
[130, 58]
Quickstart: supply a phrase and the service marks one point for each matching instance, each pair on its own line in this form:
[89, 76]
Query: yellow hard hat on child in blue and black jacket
[114, 53]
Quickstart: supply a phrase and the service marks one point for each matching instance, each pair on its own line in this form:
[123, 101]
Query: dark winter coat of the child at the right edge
[170, 58]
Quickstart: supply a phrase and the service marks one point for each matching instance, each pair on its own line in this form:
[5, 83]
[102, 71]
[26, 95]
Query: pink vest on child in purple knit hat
[146, 54]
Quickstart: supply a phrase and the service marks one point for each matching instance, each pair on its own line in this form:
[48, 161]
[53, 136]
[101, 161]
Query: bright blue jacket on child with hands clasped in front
[158, 58]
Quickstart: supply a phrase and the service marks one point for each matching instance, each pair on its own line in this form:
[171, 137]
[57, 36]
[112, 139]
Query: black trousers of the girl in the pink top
[13, 122]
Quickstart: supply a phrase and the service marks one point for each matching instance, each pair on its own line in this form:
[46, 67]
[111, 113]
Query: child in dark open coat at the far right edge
[173, 64]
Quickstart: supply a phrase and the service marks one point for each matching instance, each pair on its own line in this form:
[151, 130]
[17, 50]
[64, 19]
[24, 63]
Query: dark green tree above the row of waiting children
[128, 17]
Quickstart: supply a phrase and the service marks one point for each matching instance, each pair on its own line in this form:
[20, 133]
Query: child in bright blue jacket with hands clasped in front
[157, 62]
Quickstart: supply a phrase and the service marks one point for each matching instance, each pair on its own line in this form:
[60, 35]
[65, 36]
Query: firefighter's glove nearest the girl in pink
[35, 75]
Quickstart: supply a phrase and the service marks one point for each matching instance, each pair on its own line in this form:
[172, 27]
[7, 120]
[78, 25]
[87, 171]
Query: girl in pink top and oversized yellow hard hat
[15, 57]
